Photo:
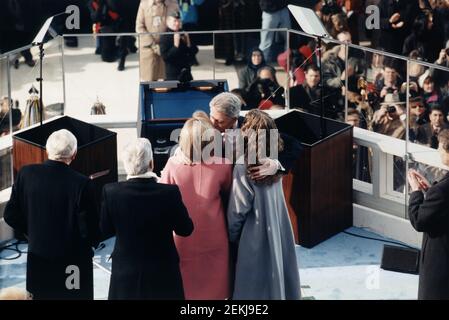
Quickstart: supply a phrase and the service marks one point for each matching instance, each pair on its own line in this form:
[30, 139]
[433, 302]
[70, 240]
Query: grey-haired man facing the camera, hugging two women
[225, 115]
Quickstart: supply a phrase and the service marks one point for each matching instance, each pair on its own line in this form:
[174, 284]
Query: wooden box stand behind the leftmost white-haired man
[96, 156]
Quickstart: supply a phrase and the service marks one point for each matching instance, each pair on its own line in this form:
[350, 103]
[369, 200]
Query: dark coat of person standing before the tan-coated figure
[176, 59]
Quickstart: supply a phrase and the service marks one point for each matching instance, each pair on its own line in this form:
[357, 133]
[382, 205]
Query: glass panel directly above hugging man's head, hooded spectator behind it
[260, 83]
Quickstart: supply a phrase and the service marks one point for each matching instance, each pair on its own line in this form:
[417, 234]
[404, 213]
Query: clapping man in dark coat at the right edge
[429, 214]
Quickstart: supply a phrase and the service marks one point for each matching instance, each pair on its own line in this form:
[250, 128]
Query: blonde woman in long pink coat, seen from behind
[204, 256]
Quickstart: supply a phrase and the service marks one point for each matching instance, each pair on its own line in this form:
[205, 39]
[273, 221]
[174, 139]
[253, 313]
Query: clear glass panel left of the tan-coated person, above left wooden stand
[94, 84]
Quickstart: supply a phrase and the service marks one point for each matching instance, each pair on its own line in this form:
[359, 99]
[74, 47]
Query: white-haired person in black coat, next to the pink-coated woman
[143, 214]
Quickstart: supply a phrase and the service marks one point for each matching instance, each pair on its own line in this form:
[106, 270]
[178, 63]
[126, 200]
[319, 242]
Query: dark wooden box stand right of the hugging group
[318, 190]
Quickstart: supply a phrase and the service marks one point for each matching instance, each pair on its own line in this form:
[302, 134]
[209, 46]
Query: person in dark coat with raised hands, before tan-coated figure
[177, 50]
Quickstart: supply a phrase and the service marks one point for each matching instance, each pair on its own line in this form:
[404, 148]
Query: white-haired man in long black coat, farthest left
[51, 204]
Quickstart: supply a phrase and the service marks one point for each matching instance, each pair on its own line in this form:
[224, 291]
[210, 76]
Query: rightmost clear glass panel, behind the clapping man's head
[427, 117]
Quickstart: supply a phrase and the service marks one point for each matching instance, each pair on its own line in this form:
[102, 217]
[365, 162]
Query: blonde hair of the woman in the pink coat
[194, 130]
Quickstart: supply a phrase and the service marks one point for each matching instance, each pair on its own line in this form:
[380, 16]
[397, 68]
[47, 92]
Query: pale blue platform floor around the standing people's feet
[342, 268]
